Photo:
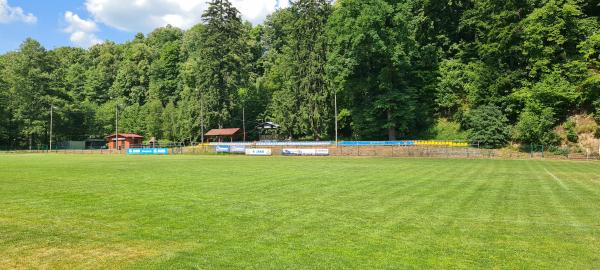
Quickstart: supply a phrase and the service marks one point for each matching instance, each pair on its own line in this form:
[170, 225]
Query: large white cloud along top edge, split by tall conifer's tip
[146, 15]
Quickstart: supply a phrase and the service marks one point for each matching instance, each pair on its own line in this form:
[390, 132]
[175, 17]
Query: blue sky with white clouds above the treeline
[82, 23]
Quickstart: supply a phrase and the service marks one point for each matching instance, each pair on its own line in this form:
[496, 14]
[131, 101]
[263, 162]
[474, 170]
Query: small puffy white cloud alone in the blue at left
[82, 31]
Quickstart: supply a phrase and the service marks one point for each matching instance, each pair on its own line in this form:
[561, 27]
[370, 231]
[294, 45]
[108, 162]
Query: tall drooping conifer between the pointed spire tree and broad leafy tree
[298, 51]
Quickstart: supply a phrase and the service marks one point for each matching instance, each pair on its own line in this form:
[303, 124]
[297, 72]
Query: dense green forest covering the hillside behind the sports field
[485, 70]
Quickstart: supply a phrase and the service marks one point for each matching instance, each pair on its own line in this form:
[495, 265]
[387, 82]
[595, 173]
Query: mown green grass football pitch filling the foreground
[217, 212]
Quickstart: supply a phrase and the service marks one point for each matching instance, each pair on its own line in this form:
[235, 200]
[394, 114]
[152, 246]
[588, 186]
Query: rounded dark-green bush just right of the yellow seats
[488, 126]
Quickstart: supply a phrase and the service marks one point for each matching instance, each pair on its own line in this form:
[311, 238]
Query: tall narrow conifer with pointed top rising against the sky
[222, 61]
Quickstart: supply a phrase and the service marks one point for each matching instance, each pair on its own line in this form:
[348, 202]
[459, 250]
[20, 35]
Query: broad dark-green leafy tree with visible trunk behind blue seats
[373, 48]
